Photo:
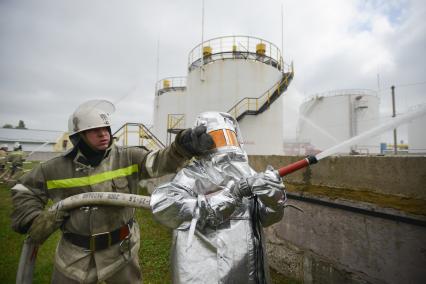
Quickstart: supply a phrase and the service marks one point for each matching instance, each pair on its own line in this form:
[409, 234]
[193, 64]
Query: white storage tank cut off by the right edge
[417, 135]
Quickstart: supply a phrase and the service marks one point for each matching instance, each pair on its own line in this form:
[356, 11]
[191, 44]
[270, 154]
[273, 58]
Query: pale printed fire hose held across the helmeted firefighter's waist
[28, 257]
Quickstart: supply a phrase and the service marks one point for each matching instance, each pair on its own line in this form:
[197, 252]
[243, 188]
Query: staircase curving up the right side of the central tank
[255, 106]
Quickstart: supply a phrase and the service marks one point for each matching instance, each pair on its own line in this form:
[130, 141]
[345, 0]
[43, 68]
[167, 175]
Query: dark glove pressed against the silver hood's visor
[196, 141]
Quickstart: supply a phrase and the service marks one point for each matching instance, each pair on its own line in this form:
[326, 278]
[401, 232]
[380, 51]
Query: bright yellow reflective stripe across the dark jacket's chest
[89, 180]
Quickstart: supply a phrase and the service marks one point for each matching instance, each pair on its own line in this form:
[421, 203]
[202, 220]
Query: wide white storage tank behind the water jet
[333, 117]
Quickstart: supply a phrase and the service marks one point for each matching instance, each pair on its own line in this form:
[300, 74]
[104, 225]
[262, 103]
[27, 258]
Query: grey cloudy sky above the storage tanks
[56, 54]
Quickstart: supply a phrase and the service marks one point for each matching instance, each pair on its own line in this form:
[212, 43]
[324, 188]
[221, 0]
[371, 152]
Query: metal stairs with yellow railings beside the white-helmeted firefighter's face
[137, 134]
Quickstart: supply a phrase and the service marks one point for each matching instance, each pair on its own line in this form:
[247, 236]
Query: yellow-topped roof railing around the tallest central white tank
[236, 47]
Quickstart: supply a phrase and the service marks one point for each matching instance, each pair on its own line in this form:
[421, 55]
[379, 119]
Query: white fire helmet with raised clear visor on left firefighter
[89, 115]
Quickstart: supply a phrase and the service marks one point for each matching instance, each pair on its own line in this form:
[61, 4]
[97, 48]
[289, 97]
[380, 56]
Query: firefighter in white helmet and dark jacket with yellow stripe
[98, 243]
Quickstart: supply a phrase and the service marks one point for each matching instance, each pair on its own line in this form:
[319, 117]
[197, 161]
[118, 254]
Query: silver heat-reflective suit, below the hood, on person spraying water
[227, 245]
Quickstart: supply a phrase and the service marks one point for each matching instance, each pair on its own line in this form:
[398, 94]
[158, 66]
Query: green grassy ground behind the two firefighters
[153, 254]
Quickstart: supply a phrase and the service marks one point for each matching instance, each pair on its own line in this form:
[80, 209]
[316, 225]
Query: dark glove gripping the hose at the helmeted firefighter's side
[46, 224]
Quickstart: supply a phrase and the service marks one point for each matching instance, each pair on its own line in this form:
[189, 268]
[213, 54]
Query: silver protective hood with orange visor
[224, 130]
